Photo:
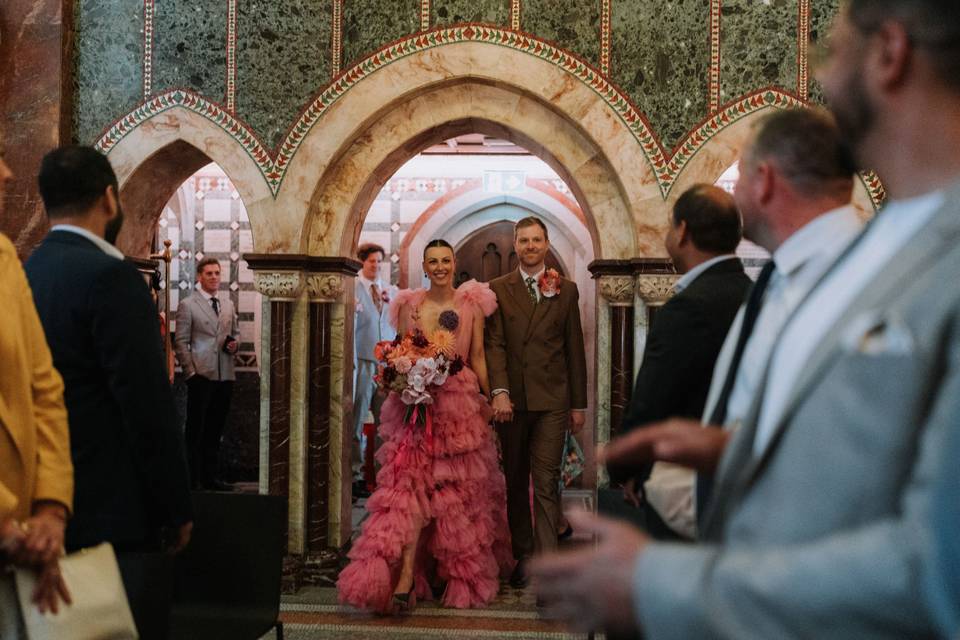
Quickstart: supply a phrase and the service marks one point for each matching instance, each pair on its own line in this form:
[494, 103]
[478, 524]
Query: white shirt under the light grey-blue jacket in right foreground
[894, 227]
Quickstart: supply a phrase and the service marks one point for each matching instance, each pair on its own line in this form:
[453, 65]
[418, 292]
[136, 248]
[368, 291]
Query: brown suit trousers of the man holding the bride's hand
[532, 446]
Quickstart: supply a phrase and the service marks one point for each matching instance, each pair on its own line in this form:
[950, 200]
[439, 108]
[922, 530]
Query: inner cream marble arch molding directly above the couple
[401, 129]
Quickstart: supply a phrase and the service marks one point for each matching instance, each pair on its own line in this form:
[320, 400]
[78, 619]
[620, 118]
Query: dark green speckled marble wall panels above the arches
[677, 61]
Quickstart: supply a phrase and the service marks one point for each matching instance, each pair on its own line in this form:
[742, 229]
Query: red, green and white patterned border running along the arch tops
[273, 164]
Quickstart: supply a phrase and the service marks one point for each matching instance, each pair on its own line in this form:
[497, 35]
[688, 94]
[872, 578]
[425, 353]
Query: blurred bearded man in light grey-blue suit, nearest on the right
[819, 522]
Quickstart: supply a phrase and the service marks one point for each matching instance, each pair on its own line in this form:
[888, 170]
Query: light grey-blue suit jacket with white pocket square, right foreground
[825, 532]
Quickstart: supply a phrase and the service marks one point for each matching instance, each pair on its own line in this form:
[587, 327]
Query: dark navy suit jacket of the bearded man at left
[130, 470]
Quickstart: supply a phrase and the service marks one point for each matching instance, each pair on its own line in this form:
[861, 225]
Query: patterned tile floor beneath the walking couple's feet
[313, 613]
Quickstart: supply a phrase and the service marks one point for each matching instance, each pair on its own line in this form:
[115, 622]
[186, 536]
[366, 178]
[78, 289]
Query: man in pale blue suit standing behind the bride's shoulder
[371, 325]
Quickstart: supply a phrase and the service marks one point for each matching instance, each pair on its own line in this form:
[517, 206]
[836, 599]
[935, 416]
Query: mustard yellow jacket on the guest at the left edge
[34, 441]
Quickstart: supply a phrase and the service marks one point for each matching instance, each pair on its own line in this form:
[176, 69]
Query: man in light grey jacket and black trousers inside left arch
[206, 341]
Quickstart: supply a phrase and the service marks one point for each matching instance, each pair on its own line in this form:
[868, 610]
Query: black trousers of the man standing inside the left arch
[208, 402]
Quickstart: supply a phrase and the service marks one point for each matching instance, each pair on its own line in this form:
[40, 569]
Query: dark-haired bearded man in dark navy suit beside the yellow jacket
[131, 483]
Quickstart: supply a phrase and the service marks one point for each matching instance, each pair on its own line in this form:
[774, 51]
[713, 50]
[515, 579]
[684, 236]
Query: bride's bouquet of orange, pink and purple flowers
[415, 366]
